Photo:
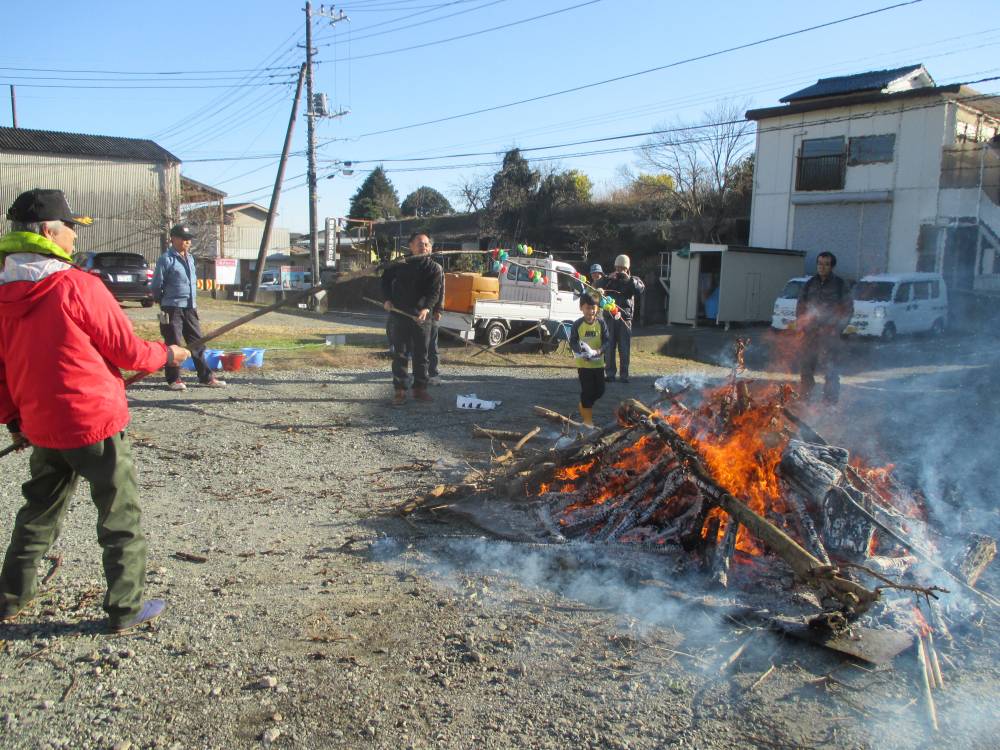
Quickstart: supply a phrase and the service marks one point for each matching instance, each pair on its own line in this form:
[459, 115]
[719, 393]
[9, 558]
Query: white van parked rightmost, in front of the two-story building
[888, 304]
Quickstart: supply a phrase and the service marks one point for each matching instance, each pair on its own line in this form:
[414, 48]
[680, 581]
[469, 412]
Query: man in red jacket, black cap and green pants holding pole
[63, 342]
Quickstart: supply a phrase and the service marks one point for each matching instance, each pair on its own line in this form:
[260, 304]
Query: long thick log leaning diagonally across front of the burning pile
[852, 597]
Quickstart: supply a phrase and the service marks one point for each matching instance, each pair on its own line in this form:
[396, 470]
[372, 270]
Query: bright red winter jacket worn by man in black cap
[63, 338]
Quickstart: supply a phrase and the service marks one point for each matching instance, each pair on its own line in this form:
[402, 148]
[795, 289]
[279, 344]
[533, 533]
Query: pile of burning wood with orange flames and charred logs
[733, 482]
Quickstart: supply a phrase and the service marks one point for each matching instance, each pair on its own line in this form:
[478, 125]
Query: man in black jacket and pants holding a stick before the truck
[412, 288]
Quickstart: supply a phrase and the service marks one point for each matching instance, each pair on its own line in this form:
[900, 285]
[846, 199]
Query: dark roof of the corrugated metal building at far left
[80, 144]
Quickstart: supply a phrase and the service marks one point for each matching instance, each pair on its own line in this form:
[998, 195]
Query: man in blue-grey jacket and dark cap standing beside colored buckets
[175, 284]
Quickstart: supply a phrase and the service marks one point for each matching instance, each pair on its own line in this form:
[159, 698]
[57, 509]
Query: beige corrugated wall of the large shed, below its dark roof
[126, 199]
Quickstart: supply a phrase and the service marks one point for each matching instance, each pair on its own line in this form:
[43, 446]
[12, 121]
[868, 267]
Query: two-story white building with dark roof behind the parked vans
[887, 170]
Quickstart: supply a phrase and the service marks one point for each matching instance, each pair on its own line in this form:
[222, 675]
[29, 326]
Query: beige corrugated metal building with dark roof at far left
[130, 186]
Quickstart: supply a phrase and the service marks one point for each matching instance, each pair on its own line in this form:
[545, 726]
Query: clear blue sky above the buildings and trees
[203, 118]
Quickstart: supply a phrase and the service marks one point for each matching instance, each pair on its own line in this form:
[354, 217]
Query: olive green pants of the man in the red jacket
[108, 467]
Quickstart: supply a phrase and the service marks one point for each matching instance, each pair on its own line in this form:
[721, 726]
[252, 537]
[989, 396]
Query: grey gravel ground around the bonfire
[321, 619]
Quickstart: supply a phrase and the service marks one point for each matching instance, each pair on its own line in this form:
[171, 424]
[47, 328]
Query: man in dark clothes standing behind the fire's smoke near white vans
[823, 309]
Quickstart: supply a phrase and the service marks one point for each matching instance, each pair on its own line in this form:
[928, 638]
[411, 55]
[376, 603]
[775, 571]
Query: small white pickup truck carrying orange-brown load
[522, 303]
